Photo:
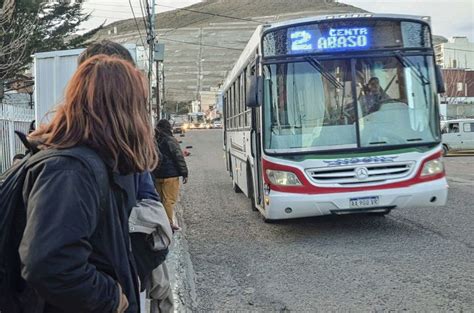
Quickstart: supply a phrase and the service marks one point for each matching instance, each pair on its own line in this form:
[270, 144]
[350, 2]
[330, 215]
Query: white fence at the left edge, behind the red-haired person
[13, 118]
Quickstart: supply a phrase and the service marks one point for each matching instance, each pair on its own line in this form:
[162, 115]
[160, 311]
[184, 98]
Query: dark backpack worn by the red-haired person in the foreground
[15, 296]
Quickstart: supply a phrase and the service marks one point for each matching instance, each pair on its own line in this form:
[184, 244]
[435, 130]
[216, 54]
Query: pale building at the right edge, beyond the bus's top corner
[456, 53]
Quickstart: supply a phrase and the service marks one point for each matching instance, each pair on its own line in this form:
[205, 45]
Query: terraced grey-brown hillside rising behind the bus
[202, 48]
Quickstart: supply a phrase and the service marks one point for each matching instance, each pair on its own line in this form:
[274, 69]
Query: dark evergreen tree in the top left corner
[34, 26]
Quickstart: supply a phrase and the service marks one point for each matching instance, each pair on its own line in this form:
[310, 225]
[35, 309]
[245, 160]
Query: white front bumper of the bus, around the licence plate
[291, 205]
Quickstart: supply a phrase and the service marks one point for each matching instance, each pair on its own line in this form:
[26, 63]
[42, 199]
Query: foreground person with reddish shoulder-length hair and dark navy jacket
[76, 253]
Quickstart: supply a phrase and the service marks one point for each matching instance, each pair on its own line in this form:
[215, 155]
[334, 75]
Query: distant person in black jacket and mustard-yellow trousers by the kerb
[172, 166]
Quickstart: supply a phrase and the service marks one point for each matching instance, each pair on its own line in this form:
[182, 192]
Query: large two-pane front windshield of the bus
[316, 105]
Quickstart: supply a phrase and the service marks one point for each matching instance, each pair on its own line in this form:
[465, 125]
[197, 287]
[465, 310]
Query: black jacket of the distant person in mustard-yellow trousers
[172, 163]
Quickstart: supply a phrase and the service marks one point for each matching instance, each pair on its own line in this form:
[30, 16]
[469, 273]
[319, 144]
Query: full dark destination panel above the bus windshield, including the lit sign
[346, 35]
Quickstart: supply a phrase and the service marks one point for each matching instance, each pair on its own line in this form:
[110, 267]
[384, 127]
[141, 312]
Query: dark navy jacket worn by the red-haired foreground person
[73, 253]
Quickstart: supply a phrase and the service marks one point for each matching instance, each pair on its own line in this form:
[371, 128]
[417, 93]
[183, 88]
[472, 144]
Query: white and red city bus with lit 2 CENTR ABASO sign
[336, 114]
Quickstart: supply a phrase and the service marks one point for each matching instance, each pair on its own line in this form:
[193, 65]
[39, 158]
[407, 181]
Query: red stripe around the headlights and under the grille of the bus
[308, 188]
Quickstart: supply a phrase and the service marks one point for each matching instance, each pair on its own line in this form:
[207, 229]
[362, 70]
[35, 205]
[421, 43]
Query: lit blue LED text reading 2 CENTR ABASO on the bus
[335, 39]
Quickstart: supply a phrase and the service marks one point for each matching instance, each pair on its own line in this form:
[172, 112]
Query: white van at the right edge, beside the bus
[458, 135]
